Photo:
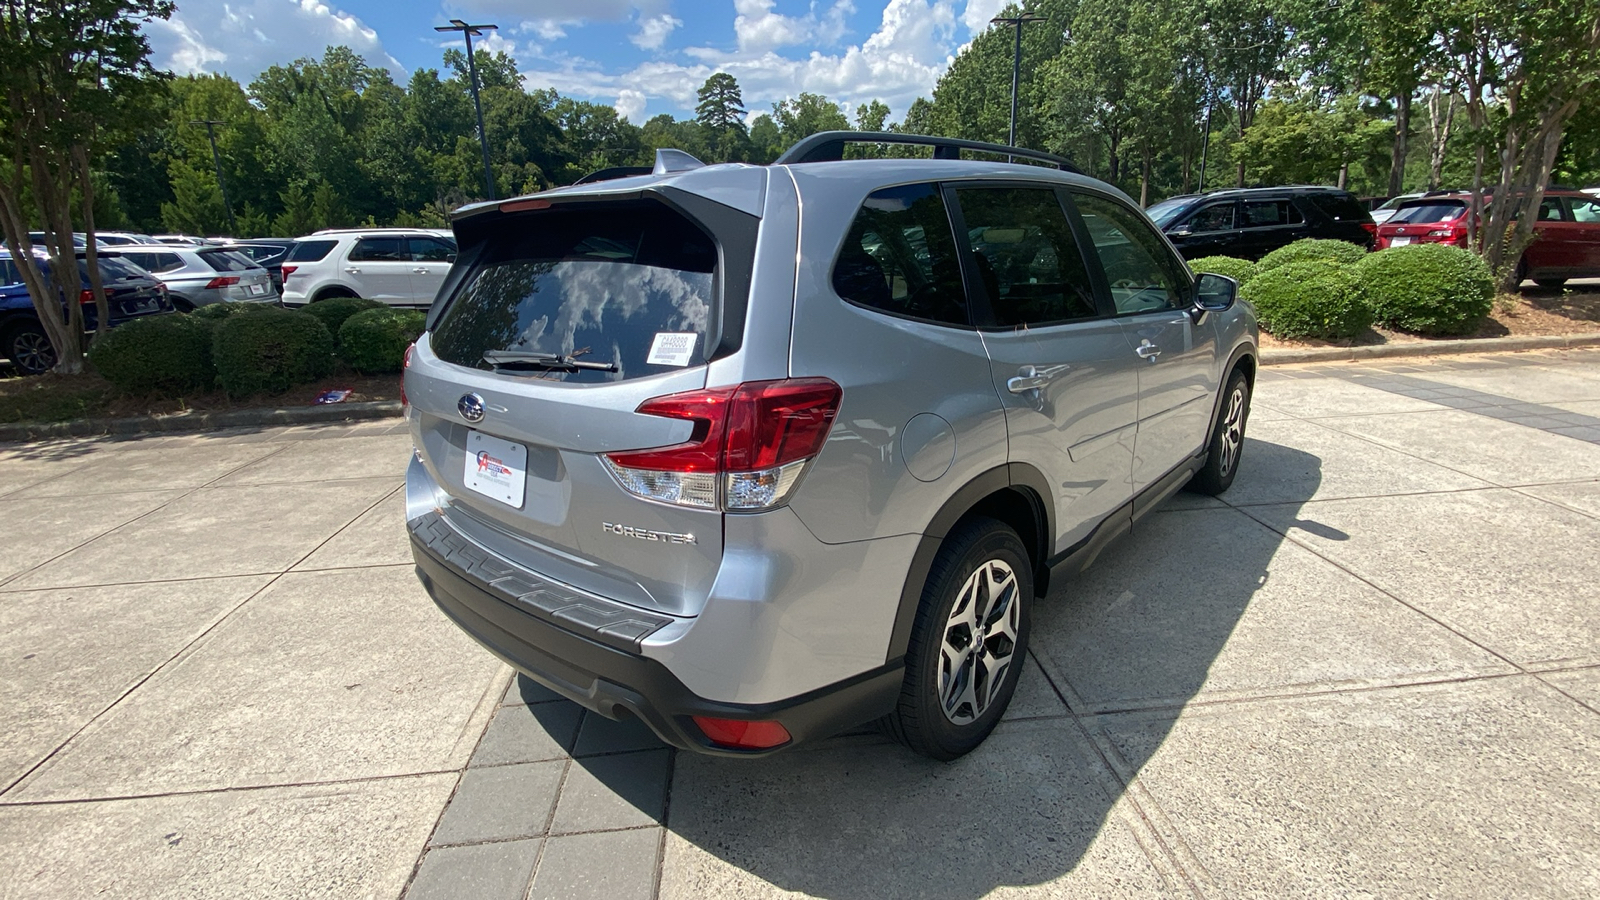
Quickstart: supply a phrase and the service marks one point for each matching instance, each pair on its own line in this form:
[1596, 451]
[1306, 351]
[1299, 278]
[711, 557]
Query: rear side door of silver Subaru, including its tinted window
[1062, 364]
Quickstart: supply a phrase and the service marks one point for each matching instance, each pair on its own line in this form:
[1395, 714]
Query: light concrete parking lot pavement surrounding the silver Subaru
[1372, 669]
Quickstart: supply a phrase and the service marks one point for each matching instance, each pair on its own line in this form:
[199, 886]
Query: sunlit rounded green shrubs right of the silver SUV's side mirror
[1330, 289]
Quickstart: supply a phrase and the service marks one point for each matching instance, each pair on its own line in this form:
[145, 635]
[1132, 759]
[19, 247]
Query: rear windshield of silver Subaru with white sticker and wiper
[623, 287]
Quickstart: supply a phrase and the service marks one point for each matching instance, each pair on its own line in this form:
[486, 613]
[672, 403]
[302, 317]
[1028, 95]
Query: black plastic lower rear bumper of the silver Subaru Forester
[591, 665]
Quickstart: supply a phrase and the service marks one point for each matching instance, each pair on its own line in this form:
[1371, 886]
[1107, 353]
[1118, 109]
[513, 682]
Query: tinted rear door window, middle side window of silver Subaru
[1026, 257]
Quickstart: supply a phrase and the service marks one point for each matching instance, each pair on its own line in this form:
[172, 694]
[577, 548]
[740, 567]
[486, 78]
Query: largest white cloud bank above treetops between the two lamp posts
[900, 62]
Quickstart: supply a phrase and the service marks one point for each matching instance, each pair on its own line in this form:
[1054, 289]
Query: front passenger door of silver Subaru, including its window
[1178, 372]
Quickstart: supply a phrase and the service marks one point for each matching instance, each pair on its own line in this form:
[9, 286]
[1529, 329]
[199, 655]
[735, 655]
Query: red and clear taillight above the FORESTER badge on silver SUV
[748, 448]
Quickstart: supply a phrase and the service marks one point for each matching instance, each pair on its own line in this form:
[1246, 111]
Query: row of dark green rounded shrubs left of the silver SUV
[247, 348]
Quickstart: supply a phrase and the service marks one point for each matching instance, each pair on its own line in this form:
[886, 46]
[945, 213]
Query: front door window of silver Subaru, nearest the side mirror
[1142, 271]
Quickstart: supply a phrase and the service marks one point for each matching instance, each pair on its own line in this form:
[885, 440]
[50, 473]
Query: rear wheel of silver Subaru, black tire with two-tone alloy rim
[980, 550]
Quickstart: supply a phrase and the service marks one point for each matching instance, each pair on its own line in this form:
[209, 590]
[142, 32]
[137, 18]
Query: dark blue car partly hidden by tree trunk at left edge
[130, 291]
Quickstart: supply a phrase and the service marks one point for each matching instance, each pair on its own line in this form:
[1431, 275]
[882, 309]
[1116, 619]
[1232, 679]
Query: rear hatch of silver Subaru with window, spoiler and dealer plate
[556, 326]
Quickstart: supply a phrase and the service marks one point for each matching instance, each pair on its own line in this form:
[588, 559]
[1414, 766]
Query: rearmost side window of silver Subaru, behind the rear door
[900, 257]
